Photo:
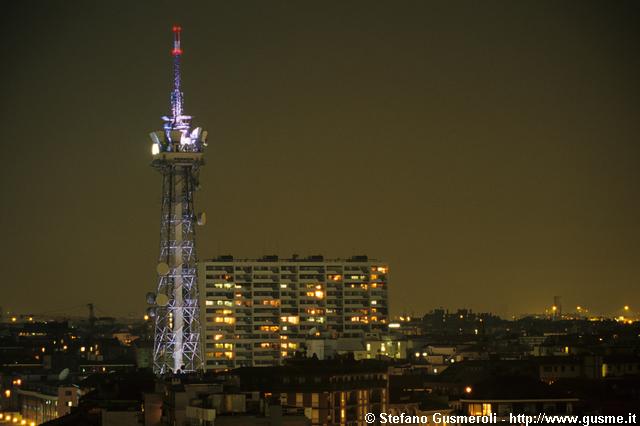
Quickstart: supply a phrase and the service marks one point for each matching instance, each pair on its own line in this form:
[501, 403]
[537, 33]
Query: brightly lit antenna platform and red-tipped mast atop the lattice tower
[177, 135]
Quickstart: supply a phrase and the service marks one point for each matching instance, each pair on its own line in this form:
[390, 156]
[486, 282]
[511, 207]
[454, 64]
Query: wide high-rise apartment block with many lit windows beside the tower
[257, 312]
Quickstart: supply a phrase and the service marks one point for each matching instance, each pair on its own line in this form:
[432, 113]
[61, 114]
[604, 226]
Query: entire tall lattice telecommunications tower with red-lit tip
[177, 154]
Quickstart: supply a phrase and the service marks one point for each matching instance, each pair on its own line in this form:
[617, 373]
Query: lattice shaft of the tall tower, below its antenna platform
[177, 327]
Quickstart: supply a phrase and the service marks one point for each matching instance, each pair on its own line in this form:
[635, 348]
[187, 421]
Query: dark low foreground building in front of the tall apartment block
[303, 392]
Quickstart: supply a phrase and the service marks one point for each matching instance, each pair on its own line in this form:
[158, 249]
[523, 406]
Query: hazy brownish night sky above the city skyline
[487, 150]
